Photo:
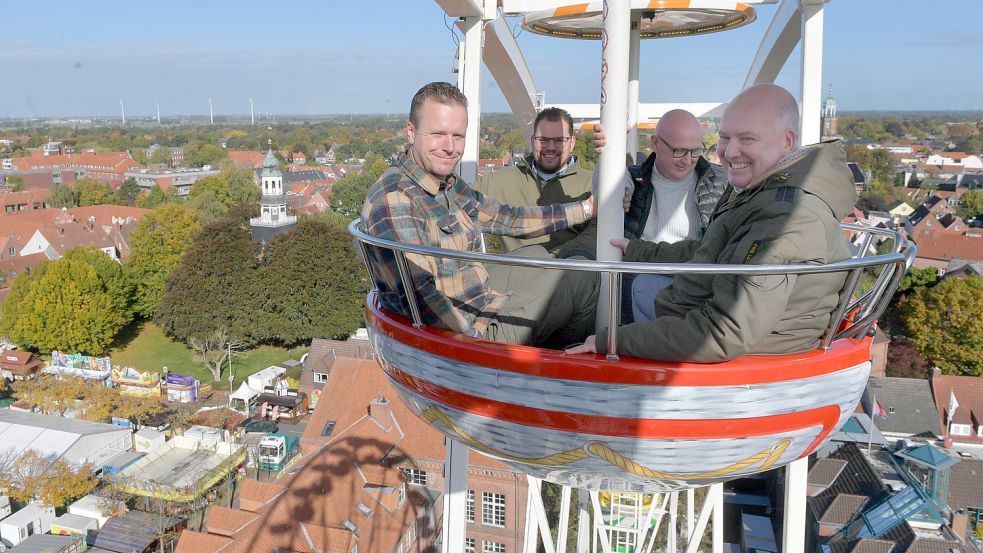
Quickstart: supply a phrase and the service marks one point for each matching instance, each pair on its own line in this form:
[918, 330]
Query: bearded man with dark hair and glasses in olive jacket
[550, 175]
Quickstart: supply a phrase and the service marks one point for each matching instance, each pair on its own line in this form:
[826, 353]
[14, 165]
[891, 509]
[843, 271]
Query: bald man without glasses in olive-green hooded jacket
[784, 208]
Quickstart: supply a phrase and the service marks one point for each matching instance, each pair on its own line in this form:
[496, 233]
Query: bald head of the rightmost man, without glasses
[759, 127]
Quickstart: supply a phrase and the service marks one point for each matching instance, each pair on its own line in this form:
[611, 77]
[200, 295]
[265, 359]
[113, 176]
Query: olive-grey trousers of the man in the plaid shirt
[546, 307]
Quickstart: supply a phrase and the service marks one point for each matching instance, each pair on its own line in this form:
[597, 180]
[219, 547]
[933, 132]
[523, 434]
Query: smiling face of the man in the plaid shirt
[437, 140]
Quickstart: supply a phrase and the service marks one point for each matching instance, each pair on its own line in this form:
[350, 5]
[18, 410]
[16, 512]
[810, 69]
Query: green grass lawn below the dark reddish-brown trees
[144, 346]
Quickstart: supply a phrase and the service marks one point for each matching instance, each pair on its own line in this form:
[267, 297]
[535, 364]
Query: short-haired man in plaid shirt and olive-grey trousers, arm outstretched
[421, 201]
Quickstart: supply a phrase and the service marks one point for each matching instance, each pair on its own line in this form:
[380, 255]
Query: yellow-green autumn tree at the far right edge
[943, 322]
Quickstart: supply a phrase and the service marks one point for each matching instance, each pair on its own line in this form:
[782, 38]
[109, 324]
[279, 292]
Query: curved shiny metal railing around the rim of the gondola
[854, 317]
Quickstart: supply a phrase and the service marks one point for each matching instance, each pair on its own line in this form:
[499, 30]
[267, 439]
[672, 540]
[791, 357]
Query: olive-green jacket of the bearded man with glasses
[521, 186]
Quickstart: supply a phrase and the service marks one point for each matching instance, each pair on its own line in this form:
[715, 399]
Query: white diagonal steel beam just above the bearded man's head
[504, 60]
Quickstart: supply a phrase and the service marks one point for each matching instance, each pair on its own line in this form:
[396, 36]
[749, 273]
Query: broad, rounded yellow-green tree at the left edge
[67, 308]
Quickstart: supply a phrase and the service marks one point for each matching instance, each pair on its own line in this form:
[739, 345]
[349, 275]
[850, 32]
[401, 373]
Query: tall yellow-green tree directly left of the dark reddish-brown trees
[156, 247]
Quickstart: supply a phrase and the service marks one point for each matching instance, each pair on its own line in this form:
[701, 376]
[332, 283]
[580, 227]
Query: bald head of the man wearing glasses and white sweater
[678, 130]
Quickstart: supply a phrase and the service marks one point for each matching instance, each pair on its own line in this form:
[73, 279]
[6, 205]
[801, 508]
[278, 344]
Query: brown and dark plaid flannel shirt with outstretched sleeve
[409, 205]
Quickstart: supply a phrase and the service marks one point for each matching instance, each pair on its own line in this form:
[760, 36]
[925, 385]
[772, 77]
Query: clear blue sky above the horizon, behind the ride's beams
[65, 57]
